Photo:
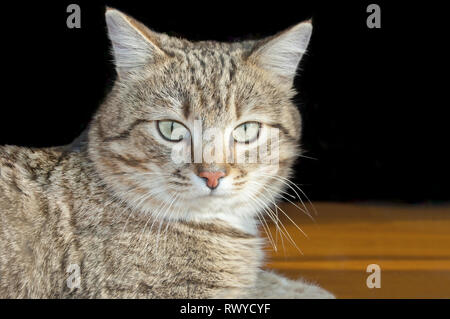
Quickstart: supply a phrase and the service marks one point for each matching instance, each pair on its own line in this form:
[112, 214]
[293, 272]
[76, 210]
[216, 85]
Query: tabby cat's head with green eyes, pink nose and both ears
[217, 104]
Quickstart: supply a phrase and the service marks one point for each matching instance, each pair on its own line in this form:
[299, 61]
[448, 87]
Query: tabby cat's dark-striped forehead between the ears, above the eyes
[211, 82]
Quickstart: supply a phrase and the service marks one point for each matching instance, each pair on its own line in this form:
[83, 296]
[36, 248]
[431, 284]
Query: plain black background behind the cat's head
[373, 119]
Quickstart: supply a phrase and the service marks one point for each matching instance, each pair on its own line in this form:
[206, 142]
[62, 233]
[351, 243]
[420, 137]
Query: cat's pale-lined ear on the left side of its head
[134, 45]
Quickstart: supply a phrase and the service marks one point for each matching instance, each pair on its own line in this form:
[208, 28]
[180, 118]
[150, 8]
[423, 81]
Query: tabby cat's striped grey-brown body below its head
[55, 212]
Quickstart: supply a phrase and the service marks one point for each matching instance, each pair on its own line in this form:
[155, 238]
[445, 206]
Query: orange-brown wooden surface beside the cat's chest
[411, 244]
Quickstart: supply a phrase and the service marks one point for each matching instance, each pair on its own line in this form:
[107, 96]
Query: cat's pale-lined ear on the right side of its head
[281, 54]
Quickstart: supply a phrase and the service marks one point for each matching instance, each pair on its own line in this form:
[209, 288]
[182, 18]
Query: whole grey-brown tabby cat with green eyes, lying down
[115, 216]
